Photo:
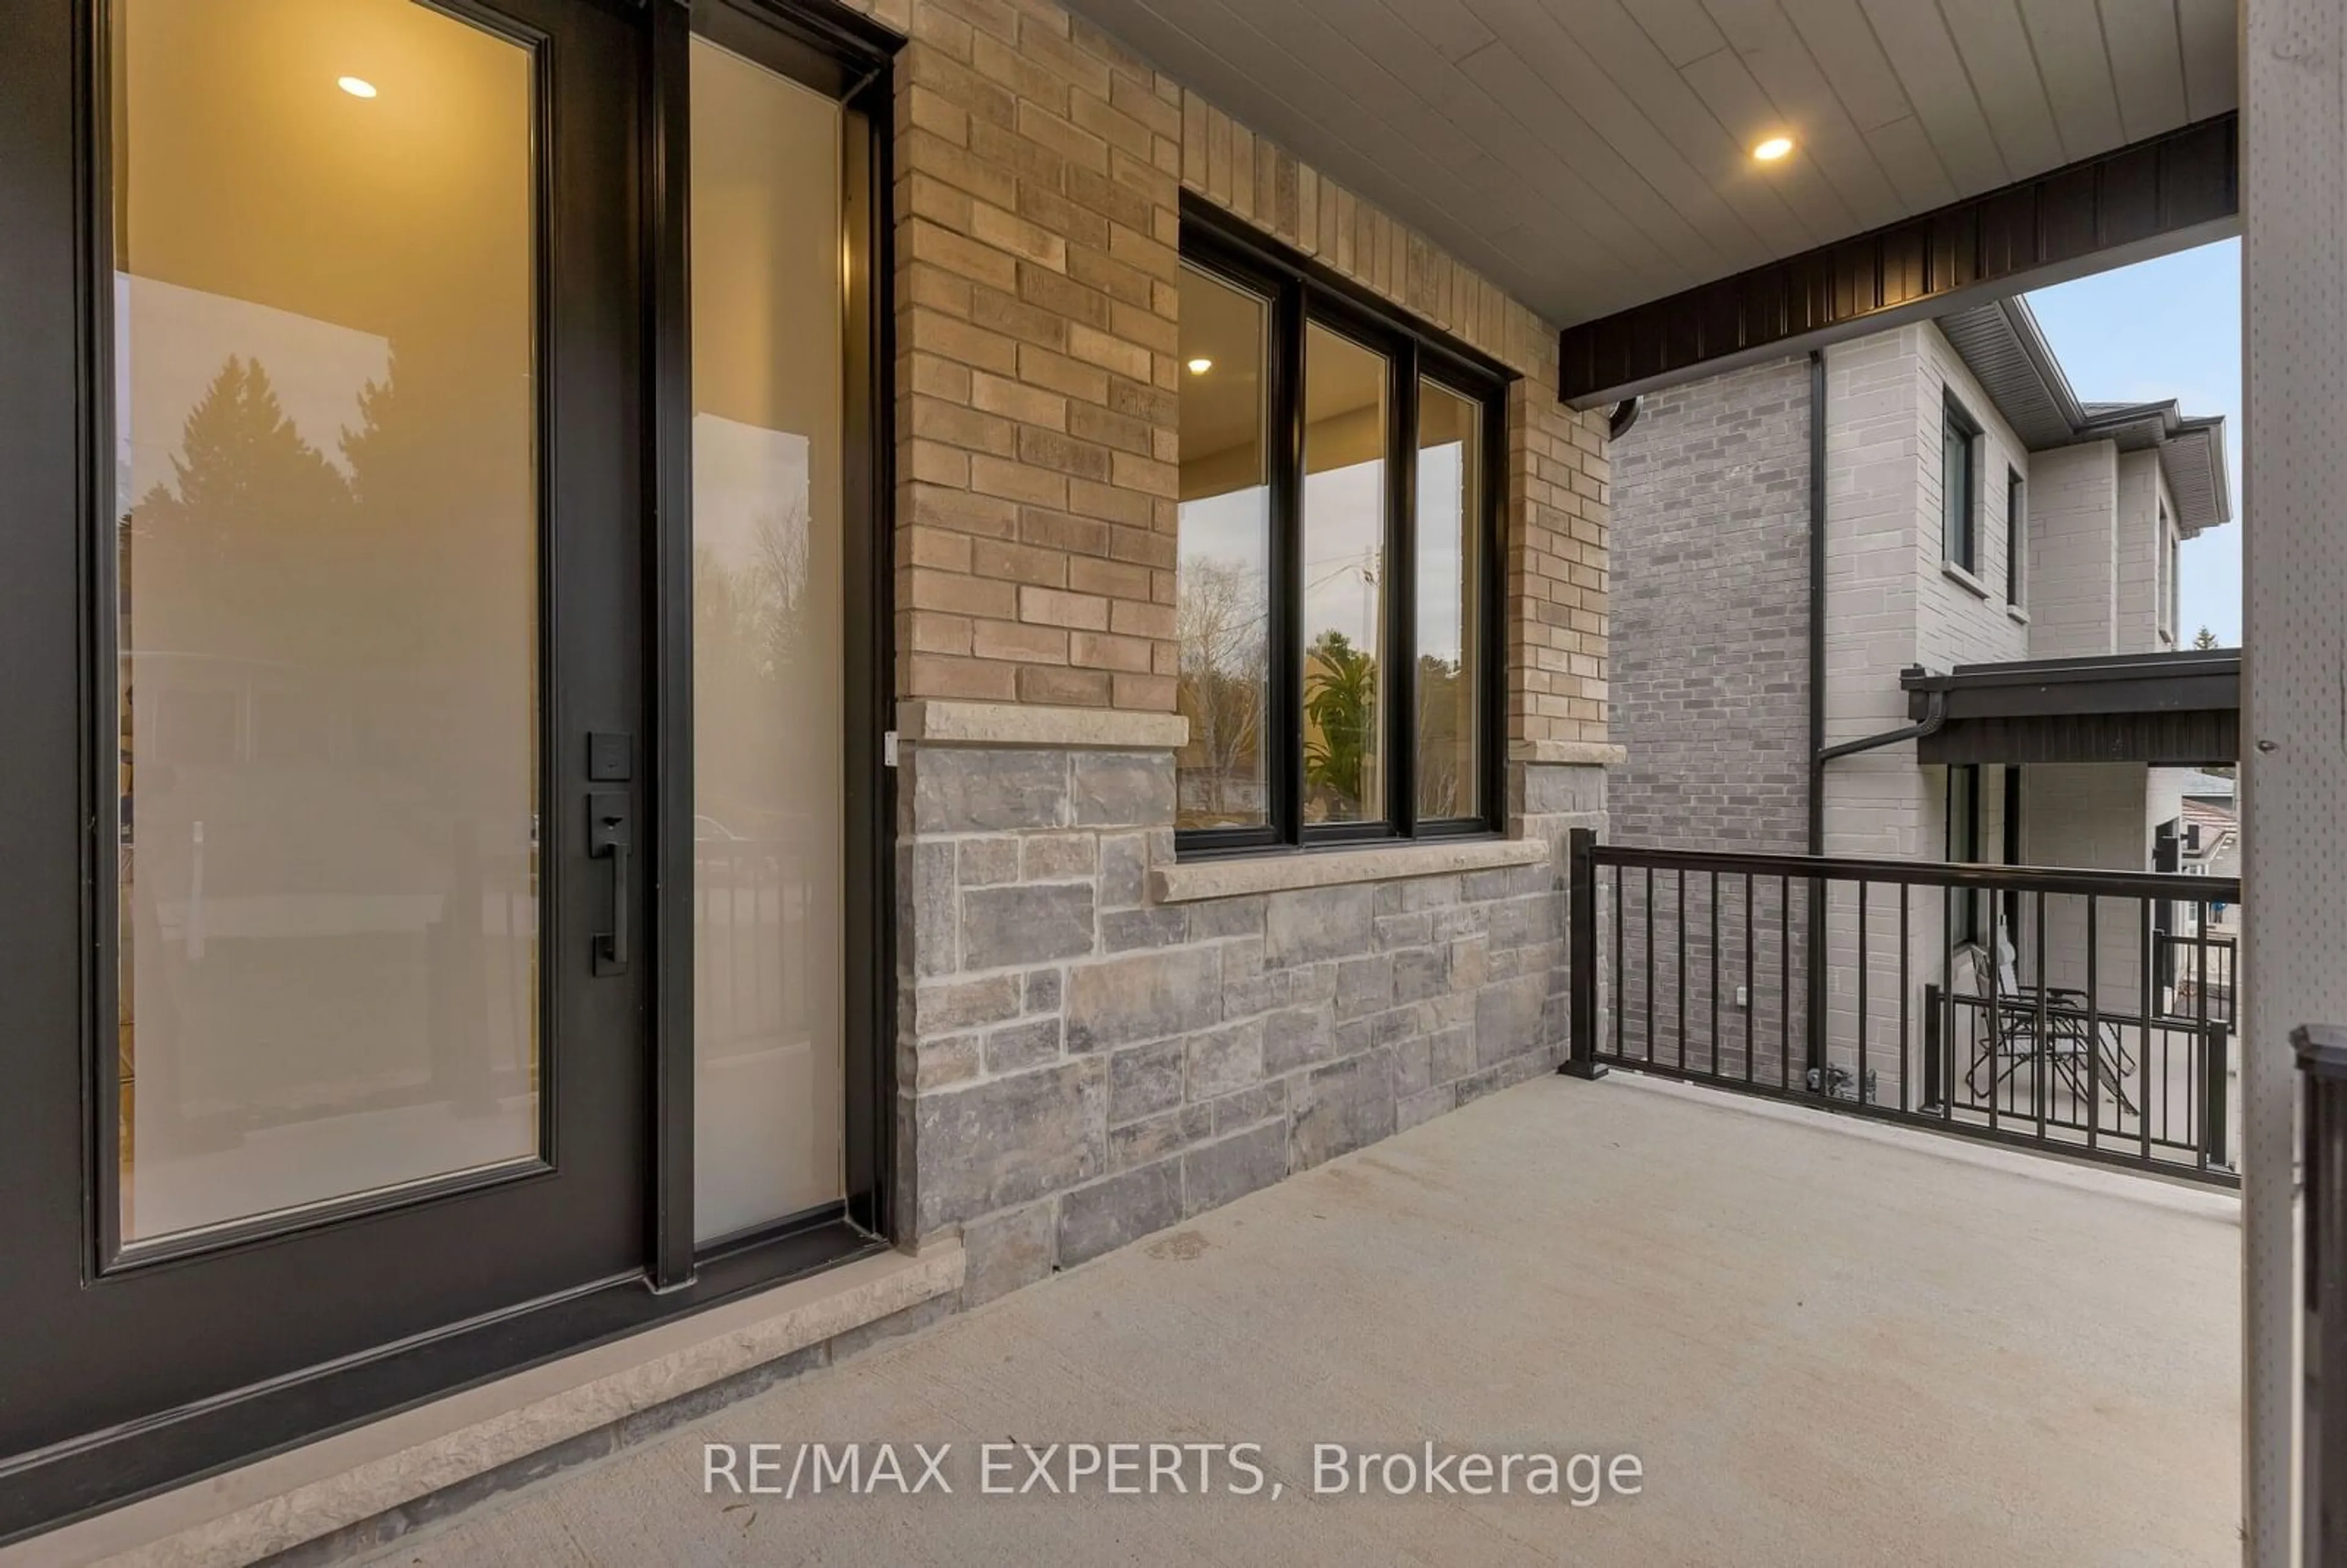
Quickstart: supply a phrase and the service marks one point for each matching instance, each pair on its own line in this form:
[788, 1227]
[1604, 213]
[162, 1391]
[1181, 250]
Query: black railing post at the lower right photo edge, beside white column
[2322, 1062]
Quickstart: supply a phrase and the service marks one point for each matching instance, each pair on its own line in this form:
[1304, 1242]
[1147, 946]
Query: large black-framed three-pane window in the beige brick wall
[1337, 593]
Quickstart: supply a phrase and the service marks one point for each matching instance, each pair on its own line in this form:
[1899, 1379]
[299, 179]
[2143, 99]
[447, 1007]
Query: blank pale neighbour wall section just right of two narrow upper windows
[2074, 553]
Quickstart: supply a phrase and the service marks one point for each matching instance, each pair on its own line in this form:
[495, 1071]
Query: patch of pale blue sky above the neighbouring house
[2163, 330]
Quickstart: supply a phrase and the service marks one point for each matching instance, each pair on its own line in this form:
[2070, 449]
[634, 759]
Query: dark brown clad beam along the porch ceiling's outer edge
[2125, 205]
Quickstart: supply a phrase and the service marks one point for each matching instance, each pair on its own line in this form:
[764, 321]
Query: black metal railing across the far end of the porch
[2015, 1003]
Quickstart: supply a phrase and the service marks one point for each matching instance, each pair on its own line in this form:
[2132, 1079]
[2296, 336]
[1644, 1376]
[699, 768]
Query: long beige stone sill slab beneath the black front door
[365, 1471]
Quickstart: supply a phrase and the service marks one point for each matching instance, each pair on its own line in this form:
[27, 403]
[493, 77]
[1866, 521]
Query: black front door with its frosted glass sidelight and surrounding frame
[445, 661]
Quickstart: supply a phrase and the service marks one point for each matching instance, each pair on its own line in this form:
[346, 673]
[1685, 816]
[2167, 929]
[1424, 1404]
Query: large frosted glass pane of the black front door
[327, 550]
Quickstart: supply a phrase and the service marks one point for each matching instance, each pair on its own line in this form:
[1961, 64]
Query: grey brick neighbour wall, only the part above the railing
[1710, 614]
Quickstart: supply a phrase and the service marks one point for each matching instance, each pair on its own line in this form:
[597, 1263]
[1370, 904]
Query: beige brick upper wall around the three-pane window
[1039, 175]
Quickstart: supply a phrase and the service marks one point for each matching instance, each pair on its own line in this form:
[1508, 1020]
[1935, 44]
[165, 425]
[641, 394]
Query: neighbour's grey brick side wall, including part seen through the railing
[1712, 701]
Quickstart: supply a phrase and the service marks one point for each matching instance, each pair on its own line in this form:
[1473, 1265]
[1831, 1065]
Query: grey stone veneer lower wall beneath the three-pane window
[1083, 1065]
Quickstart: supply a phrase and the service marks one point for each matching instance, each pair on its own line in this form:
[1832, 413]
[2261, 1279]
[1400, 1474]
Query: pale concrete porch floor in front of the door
[1827, 1344]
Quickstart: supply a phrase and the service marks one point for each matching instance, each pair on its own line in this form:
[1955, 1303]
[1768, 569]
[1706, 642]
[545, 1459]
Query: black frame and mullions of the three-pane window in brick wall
[1304, 299]
